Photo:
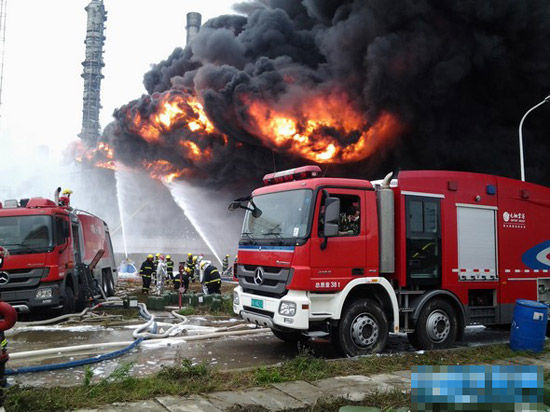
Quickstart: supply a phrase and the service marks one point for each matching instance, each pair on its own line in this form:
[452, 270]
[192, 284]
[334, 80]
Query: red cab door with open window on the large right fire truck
[344, 257]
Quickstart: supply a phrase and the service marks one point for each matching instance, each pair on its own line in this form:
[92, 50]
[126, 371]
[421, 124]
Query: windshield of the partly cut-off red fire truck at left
[26, 234]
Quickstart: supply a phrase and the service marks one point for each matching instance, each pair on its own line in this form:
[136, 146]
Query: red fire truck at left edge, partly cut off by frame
[48, 246]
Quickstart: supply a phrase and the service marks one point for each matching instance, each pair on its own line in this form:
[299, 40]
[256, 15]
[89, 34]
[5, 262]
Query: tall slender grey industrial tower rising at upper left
[92, 72]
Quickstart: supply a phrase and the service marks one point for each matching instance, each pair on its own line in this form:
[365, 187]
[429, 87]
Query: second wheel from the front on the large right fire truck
[436, 326]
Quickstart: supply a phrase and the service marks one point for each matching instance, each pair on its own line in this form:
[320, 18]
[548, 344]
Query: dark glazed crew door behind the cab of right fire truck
[423, 240]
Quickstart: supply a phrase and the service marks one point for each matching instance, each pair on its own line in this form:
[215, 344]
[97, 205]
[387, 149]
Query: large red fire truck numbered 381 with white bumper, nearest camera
[425, 253]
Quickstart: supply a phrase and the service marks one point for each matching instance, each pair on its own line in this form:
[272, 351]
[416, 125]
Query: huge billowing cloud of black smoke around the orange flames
[458, 74]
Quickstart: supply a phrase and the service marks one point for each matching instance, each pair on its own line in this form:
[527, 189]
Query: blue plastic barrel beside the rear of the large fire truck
[529, 325]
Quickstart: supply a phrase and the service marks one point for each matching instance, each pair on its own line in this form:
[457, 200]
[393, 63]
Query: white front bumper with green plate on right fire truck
[290, 311]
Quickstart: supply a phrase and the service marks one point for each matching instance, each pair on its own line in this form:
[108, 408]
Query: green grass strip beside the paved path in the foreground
[186, 378]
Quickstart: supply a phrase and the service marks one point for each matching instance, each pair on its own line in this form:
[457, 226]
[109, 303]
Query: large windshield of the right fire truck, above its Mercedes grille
[285, 215]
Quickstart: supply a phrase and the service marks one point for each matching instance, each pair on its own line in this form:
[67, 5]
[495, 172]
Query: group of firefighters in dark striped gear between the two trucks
[159, 271]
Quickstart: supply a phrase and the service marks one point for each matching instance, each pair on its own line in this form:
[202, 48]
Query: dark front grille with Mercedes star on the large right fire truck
[271, 283]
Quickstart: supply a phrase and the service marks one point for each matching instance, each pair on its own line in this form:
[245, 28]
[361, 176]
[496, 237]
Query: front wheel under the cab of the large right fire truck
[363, 329]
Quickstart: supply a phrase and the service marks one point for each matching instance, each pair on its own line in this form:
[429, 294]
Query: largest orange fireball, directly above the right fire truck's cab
[309, 128]
